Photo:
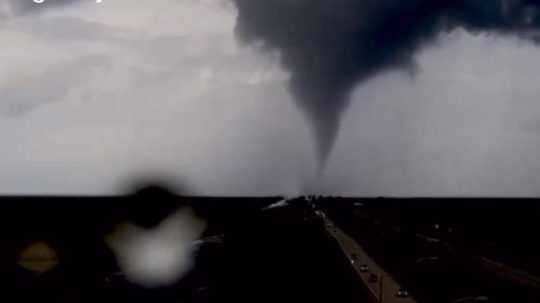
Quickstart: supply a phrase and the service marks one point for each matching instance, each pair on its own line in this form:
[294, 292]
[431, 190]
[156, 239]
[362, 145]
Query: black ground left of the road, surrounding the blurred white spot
[279, 255]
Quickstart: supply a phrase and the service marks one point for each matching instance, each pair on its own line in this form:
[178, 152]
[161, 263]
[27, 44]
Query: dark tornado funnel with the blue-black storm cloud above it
[331, 45]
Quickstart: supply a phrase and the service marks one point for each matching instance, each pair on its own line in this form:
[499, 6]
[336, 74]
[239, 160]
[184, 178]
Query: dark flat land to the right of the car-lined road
[445, 250]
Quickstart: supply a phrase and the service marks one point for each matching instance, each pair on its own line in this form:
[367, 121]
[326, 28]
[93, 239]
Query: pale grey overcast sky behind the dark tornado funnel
[93, 96]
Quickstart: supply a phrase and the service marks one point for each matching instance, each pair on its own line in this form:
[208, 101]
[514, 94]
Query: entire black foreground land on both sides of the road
[440, 250]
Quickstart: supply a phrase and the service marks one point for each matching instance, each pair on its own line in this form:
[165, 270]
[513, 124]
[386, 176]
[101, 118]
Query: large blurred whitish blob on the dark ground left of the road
[160, 256]
